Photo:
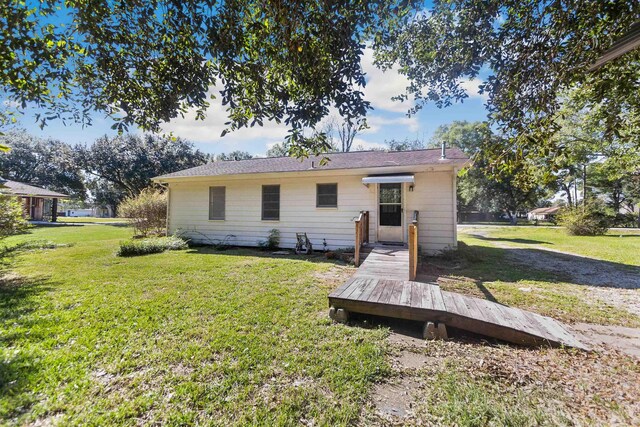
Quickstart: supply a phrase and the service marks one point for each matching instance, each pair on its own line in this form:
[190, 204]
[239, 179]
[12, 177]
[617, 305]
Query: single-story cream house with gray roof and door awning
[241, 201]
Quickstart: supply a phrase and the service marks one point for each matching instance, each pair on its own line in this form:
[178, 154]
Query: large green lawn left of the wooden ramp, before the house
[182, 337]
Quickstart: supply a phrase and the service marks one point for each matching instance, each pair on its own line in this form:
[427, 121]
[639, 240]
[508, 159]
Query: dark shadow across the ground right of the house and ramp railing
[487, 264]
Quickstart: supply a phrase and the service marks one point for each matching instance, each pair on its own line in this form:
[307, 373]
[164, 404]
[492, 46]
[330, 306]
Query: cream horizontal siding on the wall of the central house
[433, 196]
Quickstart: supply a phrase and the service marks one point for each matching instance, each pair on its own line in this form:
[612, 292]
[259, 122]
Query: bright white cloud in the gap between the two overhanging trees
[382, 86]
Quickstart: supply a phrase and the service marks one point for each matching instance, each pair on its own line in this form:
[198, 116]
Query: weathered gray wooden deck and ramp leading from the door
[380, 287]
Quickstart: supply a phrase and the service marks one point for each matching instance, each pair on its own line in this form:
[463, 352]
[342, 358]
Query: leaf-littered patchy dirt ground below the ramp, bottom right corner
[448, 382]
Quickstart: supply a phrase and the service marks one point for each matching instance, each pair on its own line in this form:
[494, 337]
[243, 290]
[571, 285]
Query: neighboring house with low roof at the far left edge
[39, 204]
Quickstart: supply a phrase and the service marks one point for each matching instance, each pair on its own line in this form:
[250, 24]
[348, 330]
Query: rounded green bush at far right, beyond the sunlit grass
[585, 220]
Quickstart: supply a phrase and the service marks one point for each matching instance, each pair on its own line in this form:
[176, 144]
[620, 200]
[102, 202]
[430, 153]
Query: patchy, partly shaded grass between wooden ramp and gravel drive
[482, 270]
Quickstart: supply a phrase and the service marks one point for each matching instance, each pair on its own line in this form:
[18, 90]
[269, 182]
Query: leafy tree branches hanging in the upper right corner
[529, 53]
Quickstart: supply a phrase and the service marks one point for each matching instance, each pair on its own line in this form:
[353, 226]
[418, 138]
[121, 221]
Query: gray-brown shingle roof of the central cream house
[351, 160]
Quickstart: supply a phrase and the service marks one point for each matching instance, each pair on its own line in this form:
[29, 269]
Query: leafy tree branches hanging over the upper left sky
[146, 62]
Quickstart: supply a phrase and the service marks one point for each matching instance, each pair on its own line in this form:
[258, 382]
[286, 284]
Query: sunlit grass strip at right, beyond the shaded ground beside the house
[620, 246]
